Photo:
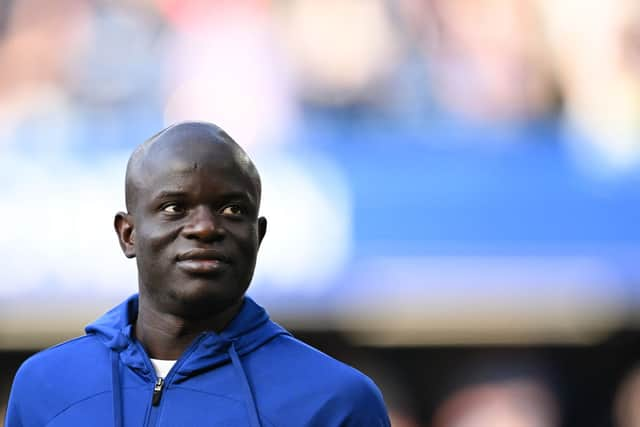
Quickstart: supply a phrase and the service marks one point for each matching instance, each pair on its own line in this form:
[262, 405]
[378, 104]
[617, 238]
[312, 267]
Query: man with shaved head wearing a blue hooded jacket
[191, 349]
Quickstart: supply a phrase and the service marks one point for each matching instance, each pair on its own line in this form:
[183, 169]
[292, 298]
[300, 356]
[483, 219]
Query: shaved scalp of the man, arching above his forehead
[179, 137]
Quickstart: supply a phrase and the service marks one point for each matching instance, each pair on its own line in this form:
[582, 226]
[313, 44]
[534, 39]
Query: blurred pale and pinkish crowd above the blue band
[87, 75]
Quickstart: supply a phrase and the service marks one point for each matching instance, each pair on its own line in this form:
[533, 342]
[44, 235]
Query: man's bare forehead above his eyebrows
[194, 164]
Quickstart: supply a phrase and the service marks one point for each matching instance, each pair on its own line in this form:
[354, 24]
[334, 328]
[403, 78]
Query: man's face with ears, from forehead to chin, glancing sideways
[194, 227]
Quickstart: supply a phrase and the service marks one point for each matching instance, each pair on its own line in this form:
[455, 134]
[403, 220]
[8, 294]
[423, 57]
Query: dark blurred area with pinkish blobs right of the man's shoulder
[505, 388]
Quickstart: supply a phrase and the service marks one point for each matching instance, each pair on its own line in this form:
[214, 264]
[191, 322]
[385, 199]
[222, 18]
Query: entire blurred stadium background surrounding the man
[453, 186]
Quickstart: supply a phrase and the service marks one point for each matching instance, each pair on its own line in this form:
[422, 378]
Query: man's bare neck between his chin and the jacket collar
[166, 336]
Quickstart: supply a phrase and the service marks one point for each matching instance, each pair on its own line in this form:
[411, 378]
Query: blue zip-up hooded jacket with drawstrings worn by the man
[254, 373]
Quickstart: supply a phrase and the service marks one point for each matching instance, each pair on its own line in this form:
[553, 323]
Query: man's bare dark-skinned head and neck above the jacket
[193, 226]
